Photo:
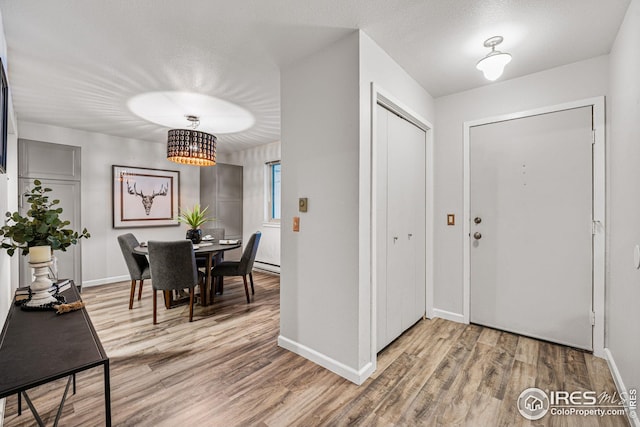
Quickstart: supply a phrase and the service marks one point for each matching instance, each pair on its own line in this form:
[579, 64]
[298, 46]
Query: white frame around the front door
[598, 207]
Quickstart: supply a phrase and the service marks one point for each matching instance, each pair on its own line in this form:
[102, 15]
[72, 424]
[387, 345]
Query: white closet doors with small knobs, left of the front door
[401, 284]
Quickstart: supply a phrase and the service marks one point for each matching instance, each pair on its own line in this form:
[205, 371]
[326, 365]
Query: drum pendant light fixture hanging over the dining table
[190, 146]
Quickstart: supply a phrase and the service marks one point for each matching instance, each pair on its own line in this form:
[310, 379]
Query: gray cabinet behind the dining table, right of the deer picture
[221, 191]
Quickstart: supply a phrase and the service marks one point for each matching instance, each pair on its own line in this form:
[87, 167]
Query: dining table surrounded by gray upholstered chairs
[210, 250]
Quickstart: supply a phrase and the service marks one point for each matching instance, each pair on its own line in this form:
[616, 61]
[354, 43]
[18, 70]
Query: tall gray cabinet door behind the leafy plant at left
[58, 167]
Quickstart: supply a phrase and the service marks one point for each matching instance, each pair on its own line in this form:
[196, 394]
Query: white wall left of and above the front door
[572, 82]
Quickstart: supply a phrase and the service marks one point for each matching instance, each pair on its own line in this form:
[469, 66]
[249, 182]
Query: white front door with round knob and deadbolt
[531, 205]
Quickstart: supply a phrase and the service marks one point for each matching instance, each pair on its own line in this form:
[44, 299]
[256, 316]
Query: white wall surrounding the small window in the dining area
[253, 162]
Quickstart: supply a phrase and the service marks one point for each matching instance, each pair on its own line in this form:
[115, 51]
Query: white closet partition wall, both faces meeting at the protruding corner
[326, 306]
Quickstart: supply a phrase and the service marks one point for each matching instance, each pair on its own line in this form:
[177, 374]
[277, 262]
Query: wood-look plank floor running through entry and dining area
[225, 369]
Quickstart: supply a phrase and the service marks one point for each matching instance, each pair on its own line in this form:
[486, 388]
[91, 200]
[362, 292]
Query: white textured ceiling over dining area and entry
[75, 63]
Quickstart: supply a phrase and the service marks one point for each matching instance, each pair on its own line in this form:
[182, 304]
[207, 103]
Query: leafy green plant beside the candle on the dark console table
[41, 227]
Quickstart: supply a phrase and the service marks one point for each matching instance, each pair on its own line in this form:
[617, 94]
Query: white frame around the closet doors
[384, 98]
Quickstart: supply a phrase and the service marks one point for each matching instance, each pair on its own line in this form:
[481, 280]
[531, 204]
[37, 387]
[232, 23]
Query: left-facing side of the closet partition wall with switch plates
[320, 158]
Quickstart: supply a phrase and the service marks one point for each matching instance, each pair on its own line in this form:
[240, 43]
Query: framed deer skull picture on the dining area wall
[145, 197]
